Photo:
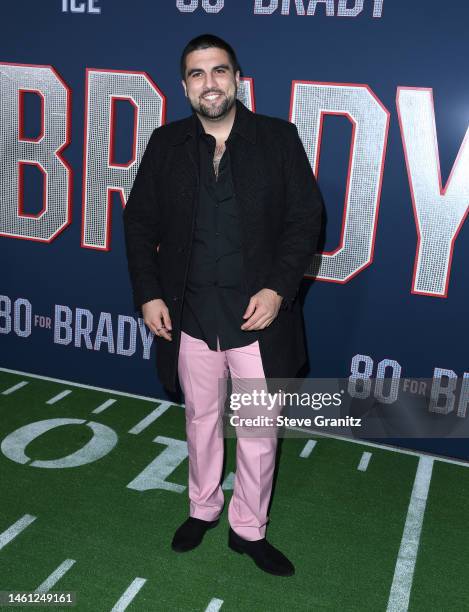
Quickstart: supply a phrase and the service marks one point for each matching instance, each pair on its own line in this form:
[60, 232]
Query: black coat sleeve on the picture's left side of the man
[141, 220]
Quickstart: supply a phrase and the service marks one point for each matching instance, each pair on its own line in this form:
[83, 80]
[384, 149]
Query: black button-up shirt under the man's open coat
[216, 292]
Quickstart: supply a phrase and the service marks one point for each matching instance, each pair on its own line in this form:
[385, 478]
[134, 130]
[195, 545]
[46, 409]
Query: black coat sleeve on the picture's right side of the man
[298, 241]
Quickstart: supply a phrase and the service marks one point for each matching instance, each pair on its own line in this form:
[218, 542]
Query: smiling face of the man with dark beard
[210, 85]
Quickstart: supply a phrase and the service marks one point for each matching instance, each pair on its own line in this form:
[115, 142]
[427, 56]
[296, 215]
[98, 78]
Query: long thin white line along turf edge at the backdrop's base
[388, 447]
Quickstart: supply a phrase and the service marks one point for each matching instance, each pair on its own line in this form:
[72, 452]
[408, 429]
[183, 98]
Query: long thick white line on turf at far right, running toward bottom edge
[404, 572]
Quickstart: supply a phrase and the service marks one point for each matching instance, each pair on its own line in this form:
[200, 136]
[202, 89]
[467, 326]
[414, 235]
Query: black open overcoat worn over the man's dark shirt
[280, 208]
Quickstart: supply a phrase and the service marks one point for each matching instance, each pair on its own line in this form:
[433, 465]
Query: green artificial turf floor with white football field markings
[341, 527]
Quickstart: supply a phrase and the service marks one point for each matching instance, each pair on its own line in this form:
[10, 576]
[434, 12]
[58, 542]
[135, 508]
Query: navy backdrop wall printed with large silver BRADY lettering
[379, 93]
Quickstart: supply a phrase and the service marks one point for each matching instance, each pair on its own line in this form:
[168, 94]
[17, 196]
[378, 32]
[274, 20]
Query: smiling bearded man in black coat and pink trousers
[220, 225]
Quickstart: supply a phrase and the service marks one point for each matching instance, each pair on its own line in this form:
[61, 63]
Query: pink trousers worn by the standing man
[199, 369]
